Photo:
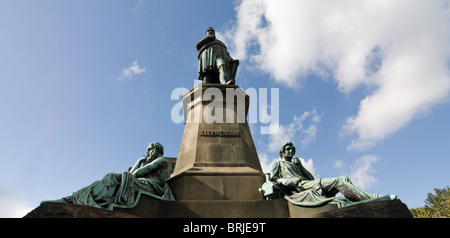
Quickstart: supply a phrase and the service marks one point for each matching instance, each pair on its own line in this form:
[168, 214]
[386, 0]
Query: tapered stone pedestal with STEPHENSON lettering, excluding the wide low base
[217, 158]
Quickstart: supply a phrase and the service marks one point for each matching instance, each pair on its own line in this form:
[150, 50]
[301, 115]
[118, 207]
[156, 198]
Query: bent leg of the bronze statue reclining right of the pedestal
[343, 185]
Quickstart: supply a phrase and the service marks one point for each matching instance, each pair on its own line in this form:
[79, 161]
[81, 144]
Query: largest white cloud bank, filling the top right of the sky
[398, 49]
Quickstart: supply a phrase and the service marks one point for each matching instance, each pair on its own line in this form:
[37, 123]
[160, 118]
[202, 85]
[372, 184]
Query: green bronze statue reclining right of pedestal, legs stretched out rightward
[289, 179]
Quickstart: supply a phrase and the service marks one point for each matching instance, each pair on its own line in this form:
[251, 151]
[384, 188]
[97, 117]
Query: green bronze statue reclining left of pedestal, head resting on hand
[148, 176]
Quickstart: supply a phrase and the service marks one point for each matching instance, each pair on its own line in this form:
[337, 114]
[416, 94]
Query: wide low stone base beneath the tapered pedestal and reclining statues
[149, 207]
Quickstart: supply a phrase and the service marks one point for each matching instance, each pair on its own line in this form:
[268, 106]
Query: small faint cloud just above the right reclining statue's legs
[362, 170]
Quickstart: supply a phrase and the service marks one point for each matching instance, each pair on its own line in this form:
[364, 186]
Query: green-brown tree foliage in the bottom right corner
[436, 205]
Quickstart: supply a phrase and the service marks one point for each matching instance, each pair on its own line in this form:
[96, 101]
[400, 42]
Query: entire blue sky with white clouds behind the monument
[86, 85]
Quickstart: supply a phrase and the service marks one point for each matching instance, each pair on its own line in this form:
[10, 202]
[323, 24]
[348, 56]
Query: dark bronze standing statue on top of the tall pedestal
[215, 63]
